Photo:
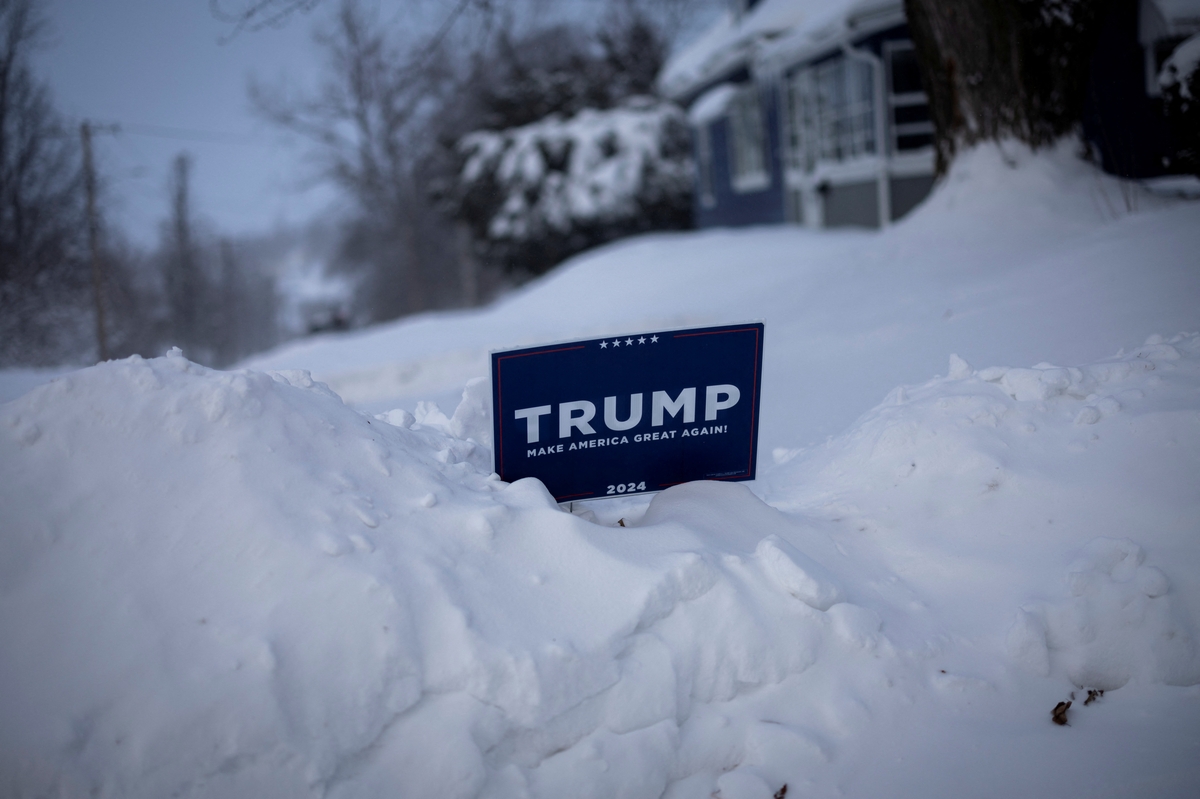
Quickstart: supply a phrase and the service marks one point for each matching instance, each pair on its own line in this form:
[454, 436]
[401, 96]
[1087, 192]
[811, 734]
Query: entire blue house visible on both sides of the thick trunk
[812, 112]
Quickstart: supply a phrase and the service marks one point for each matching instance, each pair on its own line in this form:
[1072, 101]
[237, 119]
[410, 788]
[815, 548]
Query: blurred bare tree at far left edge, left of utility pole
[44, 279]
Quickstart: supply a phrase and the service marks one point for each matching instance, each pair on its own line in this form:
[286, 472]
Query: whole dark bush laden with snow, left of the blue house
[539, 194]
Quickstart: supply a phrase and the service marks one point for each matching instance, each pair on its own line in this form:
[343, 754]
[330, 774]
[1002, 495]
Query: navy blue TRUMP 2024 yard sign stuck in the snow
[629, 414]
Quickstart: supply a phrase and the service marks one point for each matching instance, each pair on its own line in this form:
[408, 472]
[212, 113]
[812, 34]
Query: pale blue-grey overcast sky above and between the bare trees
[175, 80]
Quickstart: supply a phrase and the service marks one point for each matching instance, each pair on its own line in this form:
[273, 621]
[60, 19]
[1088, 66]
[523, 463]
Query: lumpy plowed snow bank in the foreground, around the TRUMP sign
[233, 585]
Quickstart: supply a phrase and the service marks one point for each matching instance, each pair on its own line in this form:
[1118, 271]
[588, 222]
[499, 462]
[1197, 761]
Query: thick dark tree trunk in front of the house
[1000, 69]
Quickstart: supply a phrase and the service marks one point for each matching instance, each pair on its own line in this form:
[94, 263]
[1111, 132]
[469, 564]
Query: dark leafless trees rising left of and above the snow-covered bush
[386, 123]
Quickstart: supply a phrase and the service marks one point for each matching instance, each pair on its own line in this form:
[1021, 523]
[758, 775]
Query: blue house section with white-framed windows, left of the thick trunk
[808, 112]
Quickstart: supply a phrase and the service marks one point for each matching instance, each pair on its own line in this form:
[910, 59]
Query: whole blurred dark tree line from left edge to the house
[386, 127]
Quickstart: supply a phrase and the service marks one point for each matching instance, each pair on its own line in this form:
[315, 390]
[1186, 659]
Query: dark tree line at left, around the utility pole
[195, 290]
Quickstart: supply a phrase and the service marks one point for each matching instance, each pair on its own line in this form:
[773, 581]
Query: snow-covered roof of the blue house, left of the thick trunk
[735, 40]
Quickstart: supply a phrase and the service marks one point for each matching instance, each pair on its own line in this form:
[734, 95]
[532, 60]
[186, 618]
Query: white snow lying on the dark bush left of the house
[599, 167]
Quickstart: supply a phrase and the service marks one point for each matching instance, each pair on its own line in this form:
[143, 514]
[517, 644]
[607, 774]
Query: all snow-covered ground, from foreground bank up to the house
[980, 496]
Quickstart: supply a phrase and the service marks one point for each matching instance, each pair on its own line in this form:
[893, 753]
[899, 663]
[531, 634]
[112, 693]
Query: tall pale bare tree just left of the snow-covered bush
[367, 127]
